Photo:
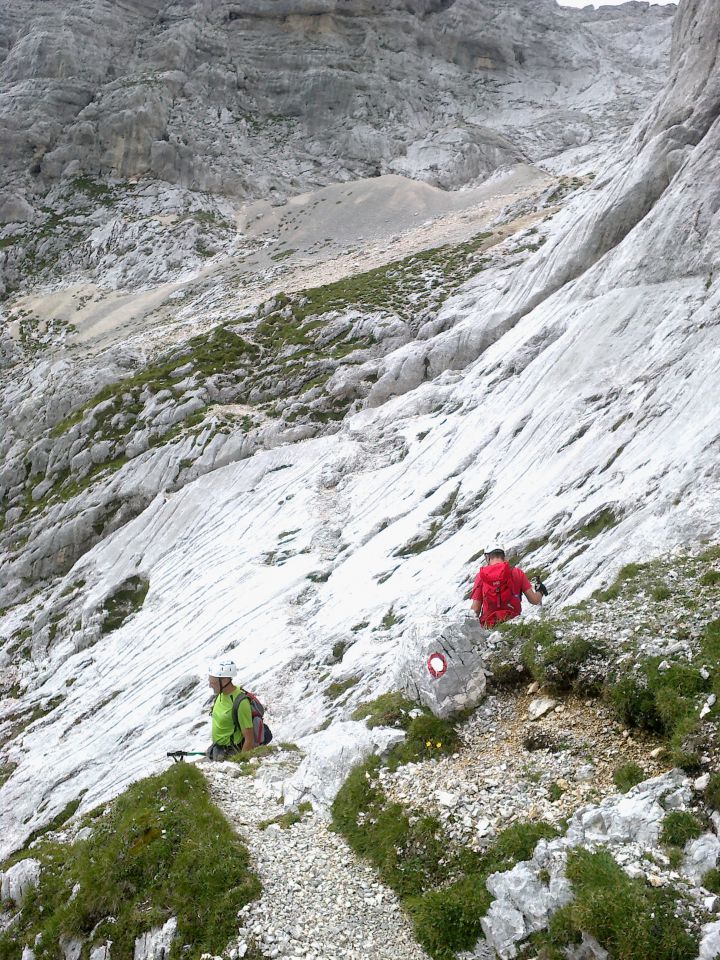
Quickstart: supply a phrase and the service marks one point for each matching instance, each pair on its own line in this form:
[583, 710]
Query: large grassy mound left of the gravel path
[153, 856]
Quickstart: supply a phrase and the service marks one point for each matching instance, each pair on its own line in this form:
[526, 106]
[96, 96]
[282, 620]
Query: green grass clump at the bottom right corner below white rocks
[627, 919]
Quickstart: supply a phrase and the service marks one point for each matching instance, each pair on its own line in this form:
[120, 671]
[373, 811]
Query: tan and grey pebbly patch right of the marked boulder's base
[500, 777]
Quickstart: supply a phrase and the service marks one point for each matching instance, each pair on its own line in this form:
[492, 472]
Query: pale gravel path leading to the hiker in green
[319, 902]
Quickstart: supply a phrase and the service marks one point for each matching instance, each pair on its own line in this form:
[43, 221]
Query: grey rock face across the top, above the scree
[269, 98]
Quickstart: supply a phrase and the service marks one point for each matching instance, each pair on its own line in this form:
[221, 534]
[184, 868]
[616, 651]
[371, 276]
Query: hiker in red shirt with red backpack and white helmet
[498, 590]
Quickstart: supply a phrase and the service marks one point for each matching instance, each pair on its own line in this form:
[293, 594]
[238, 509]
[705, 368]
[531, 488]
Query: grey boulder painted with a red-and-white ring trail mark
[442, 666]
